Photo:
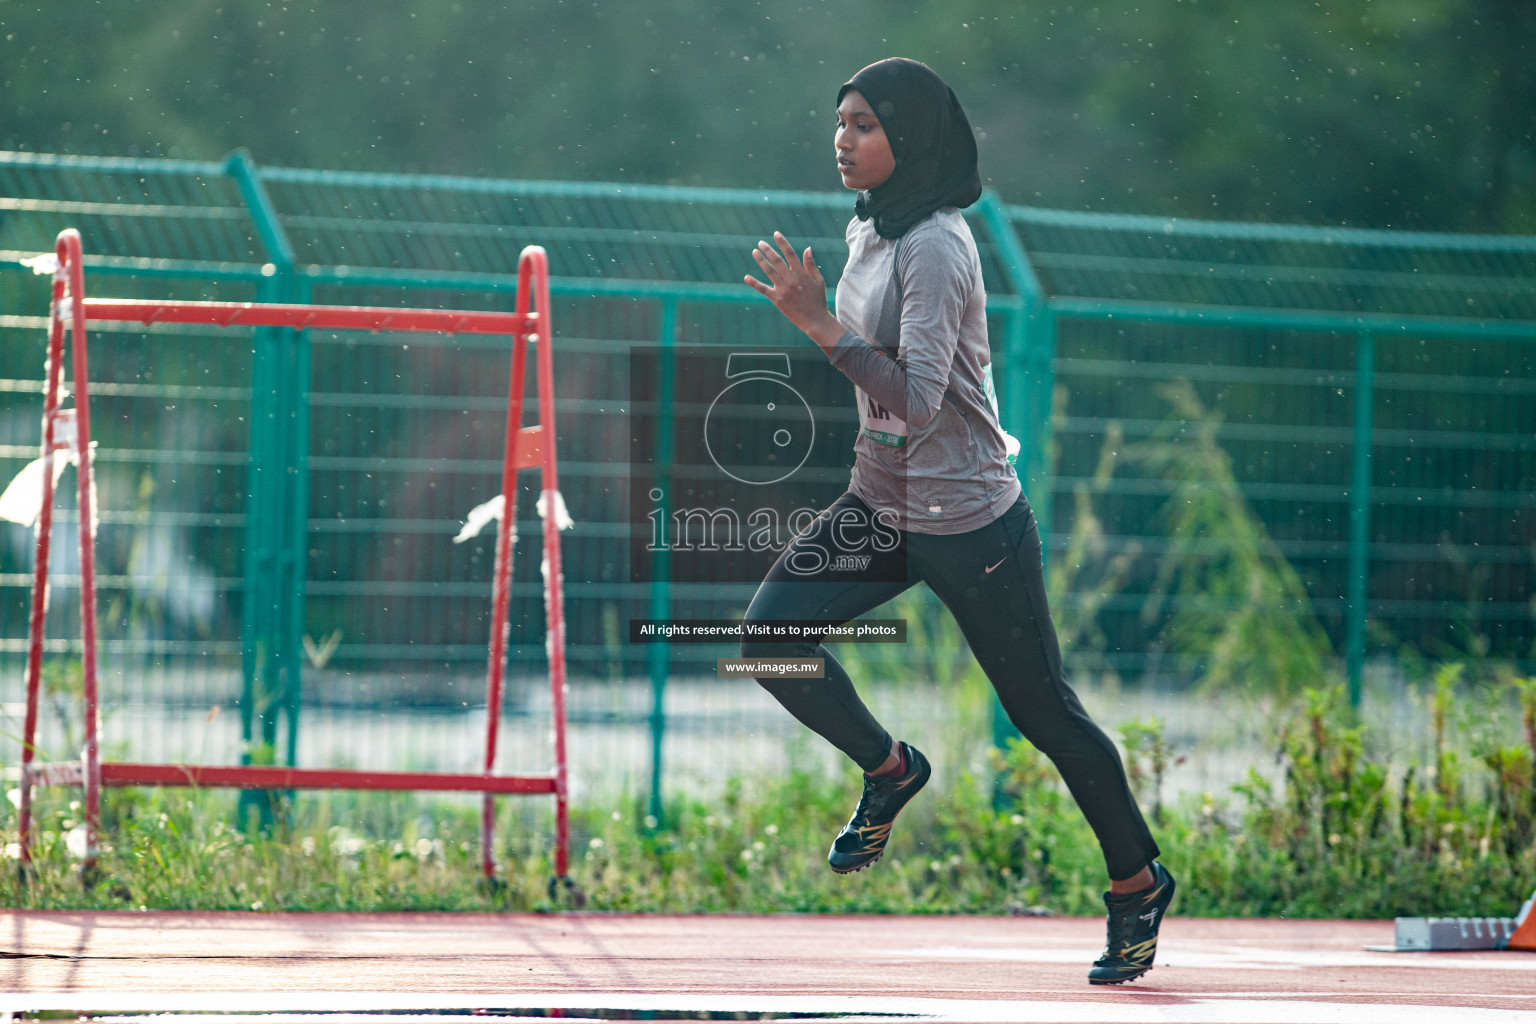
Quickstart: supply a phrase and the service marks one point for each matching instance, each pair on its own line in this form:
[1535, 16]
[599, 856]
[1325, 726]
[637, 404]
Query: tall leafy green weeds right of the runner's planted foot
[1345, 833]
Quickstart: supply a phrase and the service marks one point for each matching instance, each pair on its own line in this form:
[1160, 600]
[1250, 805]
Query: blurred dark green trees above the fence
[1415, 114]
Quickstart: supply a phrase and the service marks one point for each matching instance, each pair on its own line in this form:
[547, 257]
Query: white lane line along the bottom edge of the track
[1140, 1009]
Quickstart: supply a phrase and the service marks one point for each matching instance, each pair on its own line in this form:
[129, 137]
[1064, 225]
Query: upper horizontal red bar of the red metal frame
[310, 317]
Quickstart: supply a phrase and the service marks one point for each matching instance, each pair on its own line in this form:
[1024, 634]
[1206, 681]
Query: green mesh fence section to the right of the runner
[1372, 395]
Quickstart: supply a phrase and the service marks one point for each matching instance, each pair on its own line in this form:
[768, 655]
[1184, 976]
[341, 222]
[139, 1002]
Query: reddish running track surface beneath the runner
[927, 968]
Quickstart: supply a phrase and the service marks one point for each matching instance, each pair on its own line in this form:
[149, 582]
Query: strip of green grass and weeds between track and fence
[1342, 833]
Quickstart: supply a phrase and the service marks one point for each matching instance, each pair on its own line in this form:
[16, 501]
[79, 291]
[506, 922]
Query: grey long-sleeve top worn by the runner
[930, 448]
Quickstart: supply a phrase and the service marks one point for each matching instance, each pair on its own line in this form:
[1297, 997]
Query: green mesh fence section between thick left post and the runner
[406, 435]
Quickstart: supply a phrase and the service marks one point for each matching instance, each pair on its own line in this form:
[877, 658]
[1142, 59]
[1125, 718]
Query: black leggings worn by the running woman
[991, 581]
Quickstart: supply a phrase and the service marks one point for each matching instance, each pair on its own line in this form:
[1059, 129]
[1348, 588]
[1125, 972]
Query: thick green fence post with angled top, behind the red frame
[273, 601]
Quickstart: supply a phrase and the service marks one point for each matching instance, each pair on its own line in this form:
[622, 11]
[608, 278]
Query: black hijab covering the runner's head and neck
[932, 142]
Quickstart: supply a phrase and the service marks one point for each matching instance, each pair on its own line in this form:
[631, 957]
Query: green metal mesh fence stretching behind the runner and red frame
[279, 507]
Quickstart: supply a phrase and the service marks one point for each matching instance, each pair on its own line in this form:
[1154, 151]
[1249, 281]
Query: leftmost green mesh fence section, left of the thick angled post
[171, 417]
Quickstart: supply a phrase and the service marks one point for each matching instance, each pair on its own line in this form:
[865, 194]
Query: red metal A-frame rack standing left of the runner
[526, 448]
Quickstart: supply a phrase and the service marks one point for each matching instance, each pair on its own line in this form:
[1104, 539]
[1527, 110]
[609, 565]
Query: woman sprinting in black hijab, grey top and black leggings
[933, 497]
